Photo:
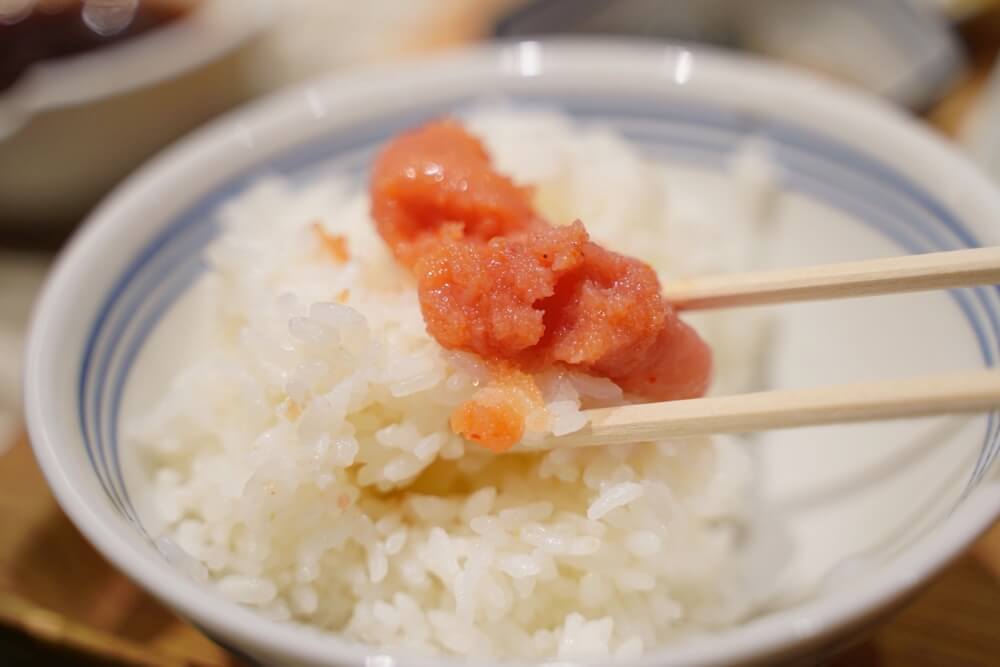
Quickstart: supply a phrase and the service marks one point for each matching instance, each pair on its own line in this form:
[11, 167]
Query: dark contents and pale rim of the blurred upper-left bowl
[68, 52]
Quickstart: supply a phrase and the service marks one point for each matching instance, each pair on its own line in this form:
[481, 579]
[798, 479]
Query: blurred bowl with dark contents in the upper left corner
[74, 124]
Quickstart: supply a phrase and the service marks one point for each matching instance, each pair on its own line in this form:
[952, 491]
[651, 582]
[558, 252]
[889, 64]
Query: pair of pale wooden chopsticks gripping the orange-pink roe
[953, 393]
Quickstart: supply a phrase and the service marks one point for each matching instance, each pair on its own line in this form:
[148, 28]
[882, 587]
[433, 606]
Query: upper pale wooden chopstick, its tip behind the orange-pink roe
[911, 273]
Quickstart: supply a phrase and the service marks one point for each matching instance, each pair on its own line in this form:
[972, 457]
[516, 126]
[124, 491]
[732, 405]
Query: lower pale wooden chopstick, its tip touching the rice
[954, 393]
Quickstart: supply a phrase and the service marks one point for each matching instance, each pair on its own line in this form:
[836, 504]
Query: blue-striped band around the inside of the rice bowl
[815, 166]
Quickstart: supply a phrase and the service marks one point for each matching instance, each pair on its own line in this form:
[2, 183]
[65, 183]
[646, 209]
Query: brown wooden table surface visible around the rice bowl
[57, 591]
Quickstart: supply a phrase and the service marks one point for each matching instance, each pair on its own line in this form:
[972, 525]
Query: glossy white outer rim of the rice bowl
[810, 624]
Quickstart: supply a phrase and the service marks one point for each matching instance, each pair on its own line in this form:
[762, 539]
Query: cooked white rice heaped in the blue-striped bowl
[303, 465]
